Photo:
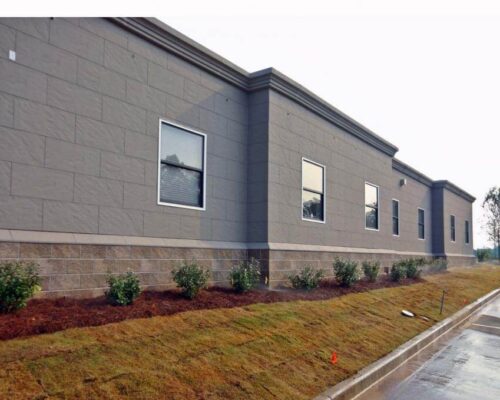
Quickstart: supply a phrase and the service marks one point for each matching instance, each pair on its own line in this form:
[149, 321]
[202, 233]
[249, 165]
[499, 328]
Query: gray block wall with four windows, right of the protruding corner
[295, 133]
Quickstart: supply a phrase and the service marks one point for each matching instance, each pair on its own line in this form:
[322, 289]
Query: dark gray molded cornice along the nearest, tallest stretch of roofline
[176, 43]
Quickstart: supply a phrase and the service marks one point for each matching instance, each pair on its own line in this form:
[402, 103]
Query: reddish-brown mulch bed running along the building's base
[52, 315]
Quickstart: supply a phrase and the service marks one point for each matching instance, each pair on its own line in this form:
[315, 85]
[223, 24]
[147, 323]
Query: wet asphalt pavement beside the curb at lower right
[464, 364]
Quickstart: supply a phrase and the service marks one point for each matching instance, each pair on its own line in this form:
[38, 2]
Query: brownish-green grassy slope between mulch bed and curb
[279, 350]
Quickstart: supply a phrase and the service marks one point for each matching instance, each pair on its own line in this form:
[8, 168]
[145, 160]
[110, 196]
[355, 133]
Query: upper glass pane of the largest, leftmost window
[181, 147]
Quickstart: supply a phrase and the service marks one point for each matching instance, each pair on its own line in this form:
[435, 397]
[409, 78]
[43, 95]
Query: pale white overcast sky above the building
[424, 74]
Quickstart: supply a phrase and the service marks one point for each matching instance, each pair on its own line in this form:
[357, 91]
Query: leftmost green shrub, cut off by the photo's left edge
[18, 283]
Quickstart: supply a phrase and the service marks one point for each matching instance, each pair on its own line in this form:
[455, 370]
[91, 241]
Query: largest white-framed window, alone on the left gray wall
[181, 169]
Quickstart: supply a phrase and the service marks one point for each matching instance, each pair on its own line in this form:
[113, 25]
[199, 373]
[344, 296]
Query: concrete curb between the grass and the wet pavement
[371, 374]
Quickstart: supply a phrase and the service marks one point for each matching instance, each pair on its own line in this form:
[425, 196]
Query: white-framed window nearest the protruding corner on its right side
[313, 191]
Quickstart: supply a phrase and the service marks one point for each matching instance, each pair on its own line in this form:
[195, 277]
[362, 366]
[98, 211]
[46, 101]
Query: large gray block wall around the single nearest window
[79, 133]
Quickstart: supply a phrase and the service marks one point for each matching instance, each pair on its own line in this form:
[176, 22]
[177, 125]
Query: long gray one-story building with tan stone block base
[126, 145]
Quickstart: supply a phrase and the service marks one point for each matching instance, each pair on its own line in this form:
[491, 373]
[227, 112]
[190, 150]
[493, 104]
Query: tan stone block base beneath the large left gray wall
[81, 270]
